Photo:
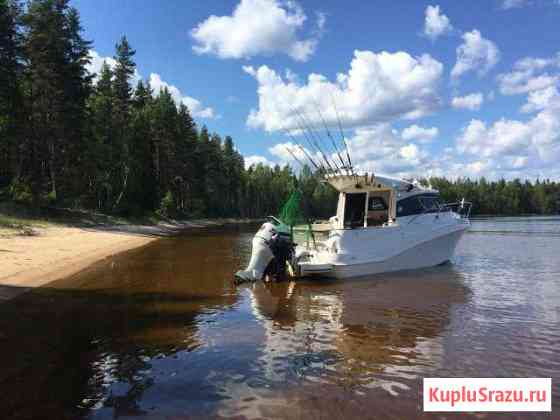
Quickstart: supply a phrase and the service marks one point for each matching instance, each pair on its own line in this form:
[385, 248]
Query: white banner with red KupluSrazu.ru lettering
[487, 394]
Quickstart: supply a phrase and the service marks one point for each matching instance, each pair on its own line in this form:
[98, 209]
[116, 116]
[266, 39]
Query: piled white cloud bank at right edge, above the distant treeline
[510, 147]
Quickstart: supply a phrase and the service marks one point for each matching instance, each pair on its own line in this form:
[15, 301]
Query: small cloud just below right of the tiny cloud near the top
[476, 53]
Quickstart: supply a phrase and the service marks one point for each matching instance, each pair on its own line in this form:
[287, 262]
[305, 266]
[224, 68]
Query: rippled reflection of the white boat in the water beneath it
[383, 331]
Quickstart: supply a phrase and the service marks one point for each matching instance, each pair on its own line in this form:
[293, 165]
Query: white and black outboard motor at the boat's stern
[272, 248]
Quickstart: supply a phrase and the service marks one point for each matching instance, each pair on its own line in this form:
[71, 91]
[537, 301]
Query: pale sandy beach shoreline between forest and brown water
[54, 252]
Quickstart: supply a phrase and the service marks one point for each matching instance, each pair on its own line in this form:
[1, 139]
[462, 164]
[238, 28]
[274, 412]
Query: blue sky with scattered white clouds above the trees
[442, 88]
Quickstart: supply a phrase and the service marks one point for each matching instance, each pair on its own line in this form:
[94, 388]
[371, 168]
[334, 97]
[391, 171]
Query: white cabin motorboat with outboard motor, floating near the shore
[382, 224]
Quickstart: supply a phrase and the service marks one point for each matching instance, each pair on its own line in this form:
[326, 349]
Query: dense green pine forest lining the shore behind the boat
[75, 140]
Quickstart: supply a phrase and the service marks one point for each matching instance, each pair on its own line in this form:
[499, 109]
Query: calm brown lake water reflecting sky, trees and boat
[162, 332]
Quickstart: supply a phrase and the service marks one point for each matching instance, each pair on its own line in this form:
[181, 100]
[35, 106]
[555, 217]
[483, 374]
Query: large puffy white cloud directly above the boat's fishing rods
[379, 87]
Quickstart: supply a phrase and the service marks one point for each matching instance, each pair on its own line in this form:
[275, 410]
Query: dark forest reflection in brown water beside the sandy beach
[92, 341]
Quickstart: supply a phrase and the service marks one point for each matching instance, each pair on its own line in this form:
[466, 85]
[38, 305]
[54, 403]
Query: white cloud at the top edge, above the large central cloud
[258, 27]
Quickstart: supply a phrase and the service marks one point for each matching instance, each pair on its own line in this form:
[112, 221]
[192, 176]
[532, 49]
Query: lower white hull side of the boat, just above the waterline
[430, 253]
